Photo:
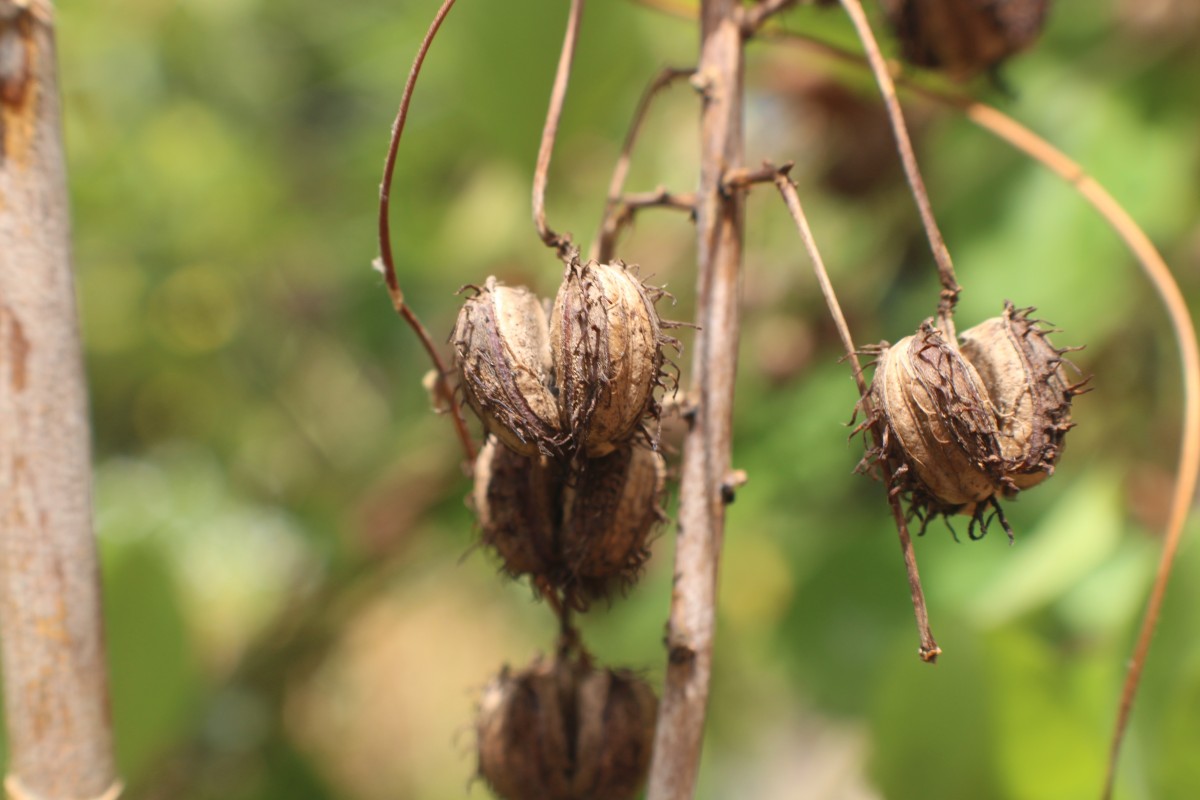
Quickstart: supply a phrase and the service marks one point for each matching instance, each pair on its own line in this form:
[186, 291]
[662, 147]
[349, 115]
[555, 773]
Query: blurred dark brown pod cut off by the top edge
[964, 38]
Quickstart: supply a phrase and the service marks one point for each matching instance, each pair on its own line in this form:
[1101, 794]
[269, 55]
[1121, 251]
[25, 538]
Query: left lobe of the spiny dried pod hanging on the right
[940, 430]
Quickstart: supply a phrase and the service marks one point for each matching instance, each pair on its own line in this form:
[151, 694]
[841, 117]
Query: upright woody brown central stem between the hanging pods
[707, 449]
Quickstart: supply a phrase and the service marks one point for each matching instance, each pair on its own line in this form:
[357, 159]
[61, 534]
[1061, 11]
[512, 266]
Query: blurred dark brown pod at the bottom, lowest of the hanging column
[566, 731]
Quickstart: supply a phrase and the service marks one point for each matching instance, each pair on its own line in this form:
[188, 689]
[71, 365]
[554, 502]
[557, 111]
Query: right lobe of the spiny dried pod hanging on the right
[1029, 388]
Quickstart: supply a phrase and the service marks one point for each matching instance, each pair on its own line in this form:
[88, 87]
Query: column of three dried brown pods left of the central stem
[569, 489]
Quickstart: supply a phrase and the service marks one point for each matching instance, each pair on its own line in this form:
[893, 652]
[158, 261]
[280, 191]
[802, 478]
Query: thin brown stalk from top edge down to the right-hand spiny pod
[908, 158]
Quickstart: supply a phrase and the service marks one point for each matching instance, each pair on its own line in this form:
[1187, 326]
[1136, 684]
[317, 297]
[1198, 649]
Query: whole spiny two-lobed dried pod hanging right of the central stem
[963, 424]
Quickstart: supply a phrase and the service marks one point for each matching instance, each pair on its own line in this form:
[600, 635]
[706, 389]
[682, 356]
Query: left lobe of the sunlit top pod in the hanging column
[502, 352]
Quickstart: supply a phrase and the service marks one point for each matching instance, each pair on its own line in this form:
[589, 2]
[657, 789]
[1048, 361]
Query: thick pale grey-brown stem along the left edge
[56, 679]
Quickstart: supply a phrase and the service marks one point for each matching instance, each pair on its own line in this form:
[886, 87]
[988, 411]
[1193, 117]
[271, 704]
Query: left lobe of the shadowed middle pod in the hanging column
[518, 501]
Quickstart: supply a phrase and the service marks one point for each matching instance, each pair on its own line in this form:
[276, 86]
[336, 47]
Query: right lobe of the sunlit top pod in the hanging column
[607, 340]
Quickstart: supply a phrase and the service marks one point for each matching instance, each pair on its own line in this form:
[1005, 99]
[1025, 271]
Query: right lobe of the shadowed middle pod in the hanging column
[609, 513]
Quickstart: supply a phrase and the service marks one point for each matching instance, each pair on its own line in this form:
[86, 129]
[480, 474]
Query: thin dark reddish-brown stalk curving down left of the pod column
[387, 263]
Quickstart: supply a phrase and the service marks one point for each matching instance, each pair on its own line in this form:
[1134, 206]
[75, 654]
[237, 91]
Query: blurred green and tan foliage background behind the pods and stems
[297, 607]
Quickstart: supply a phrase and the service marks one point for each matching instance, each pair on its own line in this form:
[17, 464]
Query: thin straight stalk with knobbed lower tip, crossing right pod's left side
[929, 649]
